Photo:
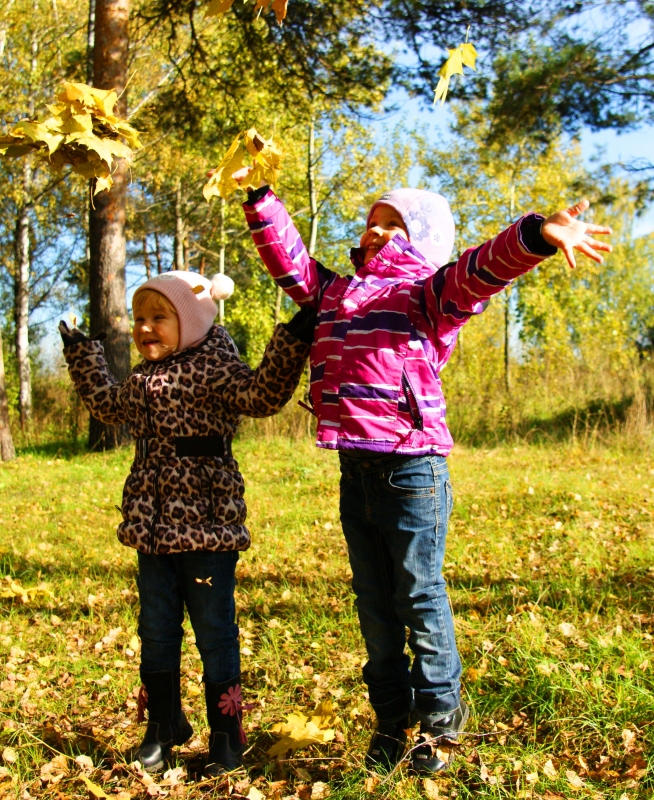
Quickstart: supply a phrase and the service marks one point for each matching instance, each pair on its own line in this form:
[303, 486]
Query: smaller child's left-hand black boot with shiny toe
[167, 723]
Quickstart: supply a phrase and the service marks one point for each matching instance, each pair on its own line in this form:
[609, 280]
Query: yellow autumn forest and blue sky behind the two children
[560, 353]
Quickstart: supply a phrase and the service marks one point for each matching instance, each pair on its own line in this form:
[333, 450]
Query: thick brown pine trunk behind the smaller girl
[108, 310]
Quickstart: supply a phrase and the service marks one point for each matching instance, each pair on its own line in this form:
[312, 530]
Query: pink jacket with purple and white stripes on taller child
[384, 334]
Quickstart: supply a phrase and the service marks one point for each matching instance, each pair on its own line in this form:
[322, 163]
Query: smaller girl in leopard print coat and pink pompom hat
[183, 508]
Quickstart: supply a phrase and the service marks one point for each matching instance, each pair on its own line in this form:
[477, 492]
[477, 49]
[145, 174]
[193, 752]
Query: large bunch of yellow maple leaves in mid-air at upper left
[81, 132]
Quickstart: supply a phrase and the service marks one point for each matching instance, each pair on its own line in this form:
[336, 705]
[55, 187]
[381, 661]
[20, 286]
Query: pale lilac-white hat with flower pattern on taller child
[428, 221]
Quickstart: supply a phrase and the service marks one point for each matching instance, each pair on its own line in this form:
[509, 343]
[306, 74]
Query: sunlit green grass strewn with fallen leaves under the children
[551, 575]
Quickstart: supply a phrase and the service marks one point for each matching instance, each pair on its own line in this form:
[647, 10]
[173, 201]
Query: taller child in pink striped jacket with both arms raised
[382, 337]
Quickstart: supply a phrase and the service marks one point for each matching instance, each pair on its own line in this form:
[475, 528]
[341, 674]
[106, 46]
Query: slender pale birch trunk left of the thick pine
[22, 294]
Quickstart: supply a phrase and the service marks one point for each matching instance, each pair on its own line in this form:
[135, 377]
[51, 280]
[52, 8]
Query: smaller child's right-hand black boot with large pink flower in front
[227, 738]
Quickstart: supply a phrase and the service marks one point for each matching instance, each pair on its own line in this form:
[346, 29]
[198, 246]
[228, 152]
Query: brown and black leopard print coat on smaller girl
[172, 504]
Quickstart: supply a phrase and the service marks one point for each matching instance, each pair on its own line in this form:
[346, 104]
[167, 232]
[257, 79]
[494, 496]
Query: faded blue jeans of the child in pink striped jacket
[394, 512]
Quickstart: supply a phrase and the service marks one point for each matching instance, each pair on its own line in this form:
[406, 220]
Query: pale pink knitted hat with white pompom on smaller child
[193, 297]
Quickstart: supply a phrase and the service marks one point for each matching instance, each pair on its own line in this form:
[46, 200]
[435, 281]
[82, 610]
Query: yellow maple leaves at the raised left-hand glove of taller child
[266, 165]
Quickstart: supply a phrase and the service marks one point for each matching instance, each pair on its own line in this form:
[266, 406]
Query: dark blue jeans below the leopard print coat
[167, 583]
